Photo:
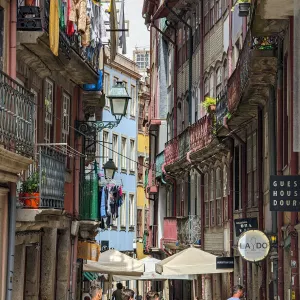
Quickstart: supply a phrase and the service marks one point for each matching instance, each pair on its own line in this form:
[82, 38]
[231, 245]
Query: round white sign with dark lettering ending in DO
[254, 245]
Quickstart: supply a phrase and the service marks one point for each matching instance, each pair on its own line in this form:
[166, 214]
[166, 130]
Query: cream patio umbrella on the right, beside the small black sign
[189, 261]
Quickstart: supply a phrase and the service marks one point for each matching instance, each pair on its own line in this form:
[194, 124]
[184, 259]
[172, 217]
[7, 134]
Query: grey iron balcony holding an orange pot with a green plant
[44, 187]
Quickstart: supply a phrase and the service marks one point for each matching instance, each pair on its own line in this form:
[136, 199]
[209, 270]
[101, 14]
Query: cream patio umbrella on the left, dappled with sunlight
[113, 262]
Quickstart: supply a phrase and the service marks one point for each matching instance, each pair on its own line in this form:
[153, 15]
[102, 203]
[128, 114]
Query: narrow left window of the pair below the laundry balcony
[49, 110]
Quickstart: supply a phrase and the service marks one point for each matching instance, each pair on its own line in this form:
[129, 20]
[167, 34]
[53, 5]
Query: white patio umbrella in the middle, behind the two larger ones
[150, 273]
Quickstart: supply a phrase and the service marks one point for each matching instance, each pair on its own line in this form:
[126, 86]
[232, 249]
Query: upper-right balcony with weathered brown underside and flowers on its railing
[248, 86]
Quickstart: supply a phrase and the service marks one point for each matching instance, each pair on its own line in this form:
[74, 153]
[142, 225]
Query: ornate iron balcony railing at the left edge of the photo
[16, 116]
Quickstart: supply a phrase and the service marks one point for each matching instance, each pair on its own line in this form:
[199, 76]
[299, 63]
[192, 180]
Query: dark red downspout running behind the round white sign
[260, 198]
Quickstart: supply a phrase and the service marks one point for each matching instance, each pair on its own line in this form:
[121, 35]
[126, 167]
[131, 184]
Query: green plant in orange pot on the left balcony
[30, 195]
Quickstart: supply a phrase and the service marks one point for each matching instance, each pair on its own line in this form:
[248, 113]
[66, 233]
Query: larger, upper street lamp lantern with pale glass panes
[118, 98]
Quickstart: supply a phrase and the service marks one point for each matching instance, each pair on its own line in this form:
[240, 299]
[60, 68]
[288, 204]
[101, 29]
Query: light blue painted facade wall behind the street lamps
[121, 238]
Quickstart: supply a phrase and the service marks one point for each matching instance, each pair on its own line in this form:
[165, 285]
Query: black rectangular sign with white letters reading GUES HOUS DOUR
[285, 193]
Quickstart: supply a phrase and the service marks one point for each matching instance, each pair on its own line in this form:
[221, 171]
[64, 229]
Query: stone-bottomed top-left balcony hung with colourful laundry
[80, 63]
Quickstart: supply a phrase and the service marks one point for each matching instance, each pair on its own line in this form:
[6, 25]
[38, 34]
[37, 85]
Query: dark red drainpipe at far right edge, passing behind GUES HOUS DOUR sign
[293, 171]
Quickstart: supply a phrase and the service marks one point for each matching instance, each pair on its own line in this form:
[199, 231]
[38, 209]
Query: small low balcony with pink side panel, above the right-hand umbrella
[182, 231]
